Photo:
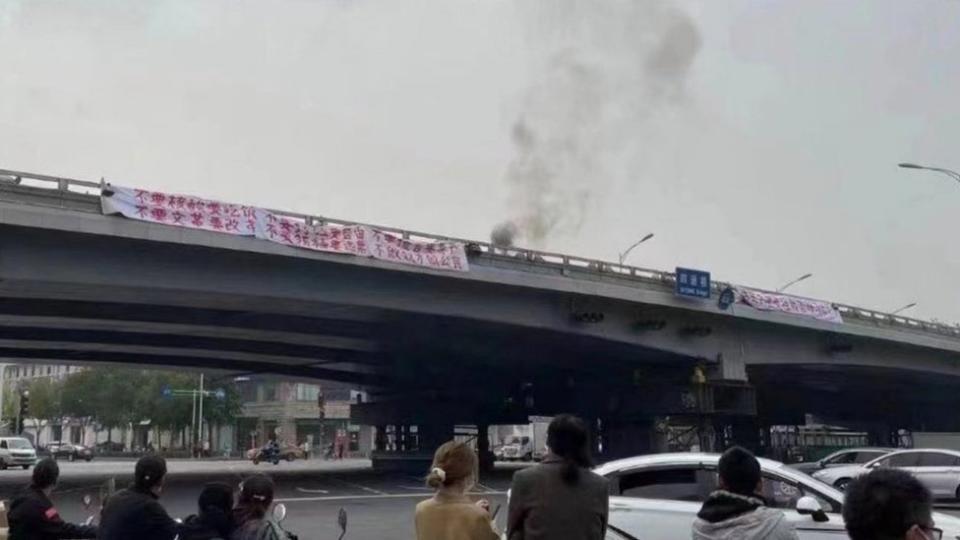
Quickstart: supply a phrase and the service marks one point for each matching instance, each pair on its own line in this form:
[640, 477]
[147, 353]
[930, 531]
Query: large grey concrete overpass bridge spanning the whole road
[523, 332]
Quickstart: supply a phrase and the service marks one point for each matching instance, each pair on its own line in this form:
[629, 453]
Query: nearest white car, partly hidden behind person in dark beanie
[657, 497]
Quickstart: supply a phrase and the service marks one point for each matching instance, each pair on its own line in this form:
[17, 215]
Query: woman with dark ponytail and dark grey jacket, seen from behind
[561, 497]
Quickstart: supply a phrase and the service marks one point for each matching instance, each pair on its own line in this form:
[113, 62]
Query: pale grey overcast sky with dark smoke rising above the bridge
[757, 139]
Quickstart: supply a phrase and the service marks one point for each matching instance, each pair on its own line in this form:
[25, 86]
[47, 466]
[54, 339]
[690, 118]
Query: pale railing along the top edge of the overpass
[66, 188]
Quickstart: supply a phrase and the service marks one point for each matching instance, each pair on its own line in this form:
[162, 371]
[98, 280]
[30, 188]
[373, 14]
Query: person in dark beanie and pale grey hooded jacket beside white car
[736, 511]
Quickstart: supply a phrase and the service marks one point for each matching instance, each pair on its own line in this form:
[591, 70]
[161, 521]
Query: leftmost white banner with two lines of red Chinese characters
[179, 210]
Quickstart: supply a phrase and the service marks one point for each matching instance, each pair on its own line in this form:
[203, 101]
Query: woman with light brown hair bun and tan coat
[449, 514]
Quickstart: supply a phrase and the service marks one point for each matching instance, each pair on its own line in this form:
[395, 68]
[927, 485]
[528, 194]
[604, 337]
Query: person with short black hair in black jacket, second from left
[135, 513]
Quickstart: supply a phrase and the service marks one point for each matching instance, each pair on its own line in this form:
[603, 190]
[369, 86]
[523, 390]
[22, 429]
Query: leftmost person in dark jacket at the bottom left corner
[33, 516]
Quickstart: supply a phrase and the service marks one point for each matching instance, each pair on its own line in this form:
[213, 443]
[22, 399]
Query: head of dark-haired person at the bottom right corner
[889, 504]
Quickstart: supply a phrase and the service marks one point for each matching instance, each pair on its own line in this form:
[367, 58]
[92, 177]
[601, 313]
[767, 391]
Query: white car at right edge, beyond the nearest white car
[939, 470]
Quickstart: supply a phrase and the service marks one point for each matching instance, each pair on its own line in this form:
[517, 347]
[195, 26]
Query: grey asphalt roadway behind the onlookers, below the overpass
[378, 505]
